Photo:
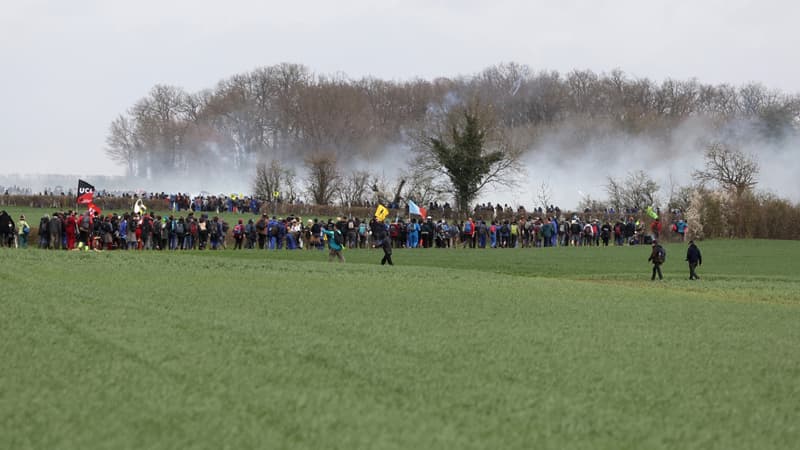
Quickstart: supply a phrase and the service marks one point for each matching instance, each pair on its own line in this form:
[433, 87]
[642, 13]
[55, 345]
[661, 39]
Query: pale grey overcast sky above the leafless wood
[70, 67]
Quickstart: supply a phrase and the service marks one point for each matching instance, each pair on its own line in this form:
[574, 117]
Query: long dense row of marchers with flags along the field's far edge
[200, 230]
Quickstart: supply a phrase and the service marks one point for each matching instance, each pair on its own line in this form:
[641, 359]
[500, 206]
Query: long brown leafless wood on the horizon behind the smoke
[287, 112]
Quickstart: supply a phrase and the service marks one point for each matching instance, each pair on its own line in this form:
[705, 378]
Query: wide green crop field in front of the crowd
[493, 349]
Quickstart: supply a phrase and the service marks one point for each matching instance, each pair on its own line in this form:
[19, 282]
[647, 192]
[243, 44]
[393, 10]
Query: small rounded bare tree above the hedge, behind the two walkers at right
[730, 168]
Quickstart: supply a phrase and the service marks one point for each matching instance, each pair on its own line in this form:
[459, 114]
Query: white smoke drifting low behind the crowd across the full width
[571, 162]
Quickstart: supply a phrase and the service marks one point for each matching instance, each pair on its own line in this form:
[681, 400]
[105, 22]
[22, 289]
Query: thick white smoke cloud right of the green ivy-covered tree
[576, 170]
